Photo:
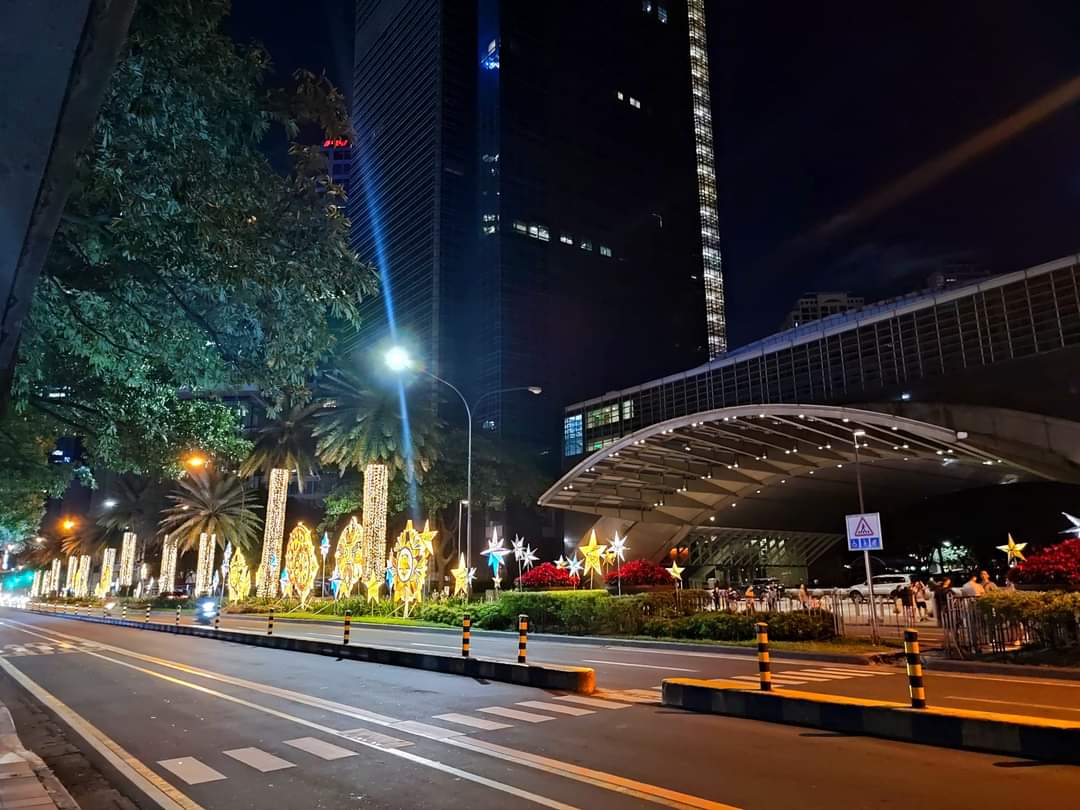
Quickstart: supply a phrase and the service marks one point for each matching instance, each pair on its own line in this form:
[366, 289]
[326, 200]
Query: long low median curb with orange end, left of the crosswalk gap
[578, 680]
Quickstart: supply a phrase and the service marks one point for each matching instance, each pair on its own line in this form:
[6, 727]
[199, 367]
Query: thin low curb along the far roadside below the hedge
[836, 658]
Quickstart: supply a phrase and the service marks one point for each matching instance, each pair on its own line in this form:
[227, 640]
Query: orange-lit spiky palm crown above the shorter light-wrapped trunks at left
[212, 504]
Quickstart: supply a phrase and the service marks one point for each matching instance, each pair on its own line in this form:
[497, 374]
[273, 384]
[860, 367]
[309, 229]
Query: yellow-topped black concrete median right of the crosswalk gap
[1032, 738]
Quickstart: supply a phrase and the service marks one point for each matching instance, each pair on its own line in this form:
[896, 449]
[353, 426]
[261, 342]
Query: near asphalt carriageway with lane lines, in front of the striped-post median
[231, 726]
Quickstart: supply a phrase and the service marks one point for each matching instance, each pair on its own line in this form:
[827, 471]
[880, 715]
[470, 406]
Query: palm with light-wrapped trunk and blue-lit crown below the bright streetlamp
[363, 427]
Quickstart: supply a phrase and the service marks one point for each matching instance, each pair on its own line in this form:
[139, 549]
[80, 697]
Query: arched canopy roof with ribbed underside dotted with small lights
[780, 467]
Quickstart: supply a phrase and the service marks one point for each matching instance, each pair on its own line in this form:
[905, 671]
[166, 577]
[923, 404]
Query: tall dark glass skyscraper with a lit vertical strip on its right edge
[537, 186]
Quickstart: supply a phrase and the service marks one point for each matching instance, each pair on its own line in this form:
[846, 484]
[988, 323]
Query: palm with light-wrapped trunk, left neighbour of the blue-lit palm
[282, 447]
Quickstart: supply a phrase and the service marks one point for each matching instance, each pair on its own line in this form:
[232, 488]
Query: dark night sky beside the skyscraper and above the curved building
[819, 106]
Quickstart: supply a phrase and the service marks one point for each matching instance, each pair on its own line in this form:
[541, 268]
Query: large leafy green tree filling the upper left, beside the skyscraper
[184, 263]
